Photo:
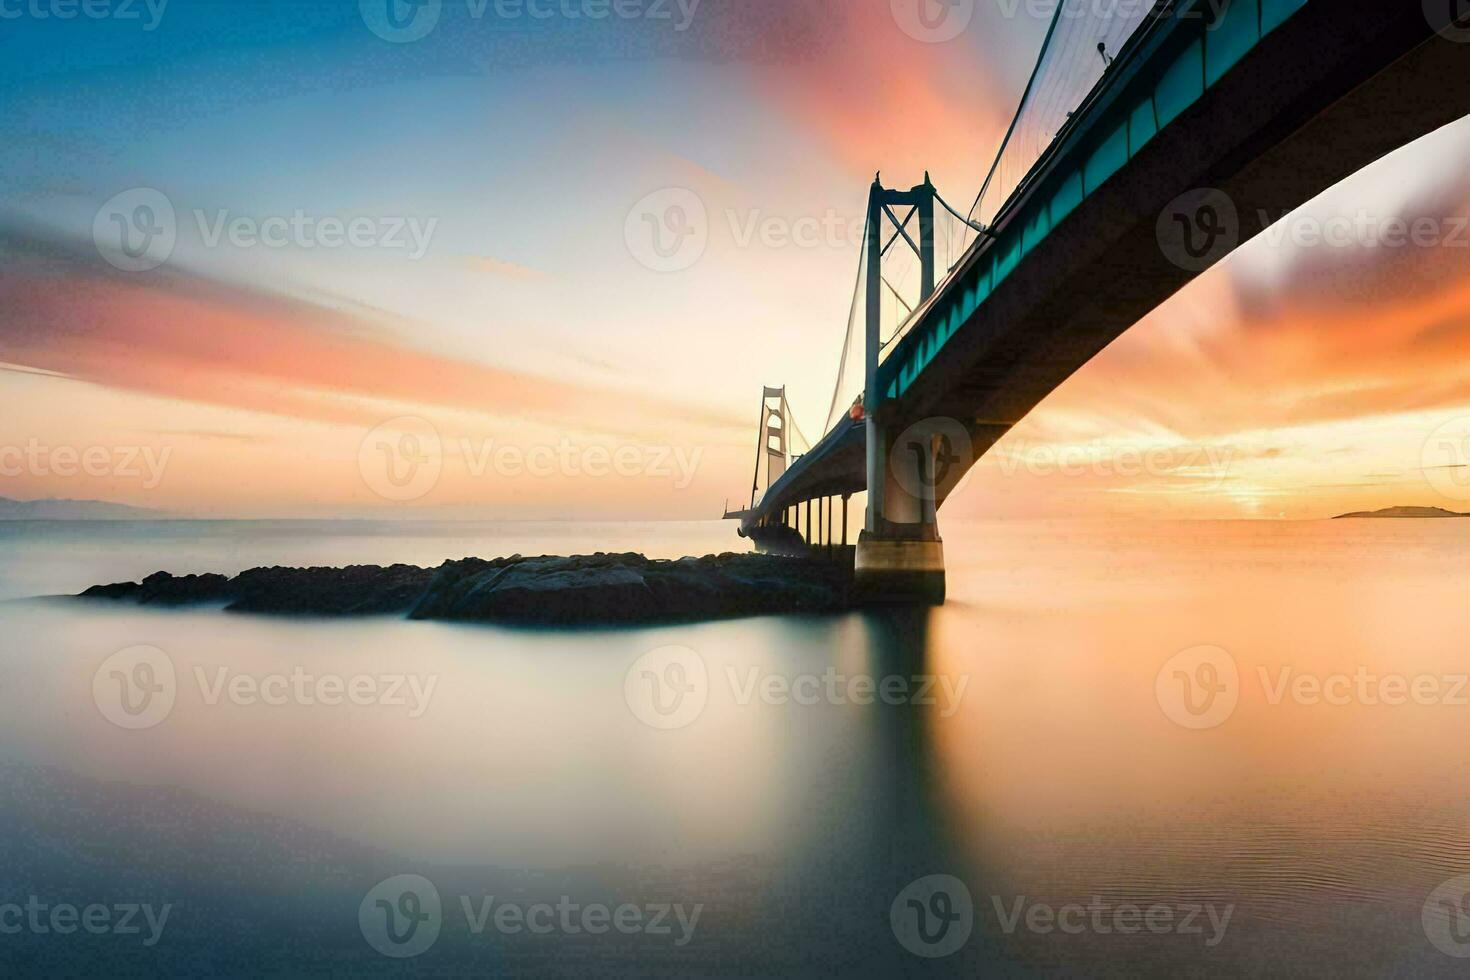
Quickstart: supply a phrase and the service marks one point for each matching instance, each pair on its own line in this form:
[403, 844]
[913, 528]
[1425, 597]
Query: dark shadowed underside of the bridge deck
[1337, 87]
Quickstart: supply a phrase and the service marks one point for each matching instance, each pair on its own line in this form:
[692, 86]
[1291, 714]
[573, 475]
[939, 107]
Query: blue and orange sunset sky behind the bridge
[302, 259]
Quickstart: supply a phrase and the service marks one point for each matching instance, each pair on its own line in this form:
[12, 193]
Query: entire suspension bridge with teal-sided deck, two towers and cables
[1144, 151]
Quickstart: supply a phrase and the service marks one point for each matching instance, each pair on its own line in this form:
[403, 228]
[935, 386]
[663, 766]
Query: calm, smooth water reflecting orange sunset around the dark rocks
[1108, 810]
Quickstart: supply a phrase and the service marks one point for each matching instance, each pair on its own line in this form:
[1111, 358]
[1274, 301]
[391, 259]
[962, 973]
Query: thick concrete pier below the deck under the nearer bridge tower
[900, 555]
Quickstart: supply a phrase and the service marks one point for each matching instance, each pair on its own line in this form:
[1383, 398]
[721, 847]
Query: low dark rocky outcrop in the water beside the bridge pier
[596, 590]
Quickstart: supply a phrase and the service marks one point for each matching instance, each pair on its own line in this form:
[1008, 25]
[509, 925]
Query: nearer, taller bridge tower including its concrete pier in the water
[900, 556]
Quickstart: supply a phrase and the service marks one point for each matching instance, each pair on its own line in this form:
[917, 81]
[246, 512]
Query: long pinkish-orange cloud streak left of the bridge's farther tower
[189, 337]
